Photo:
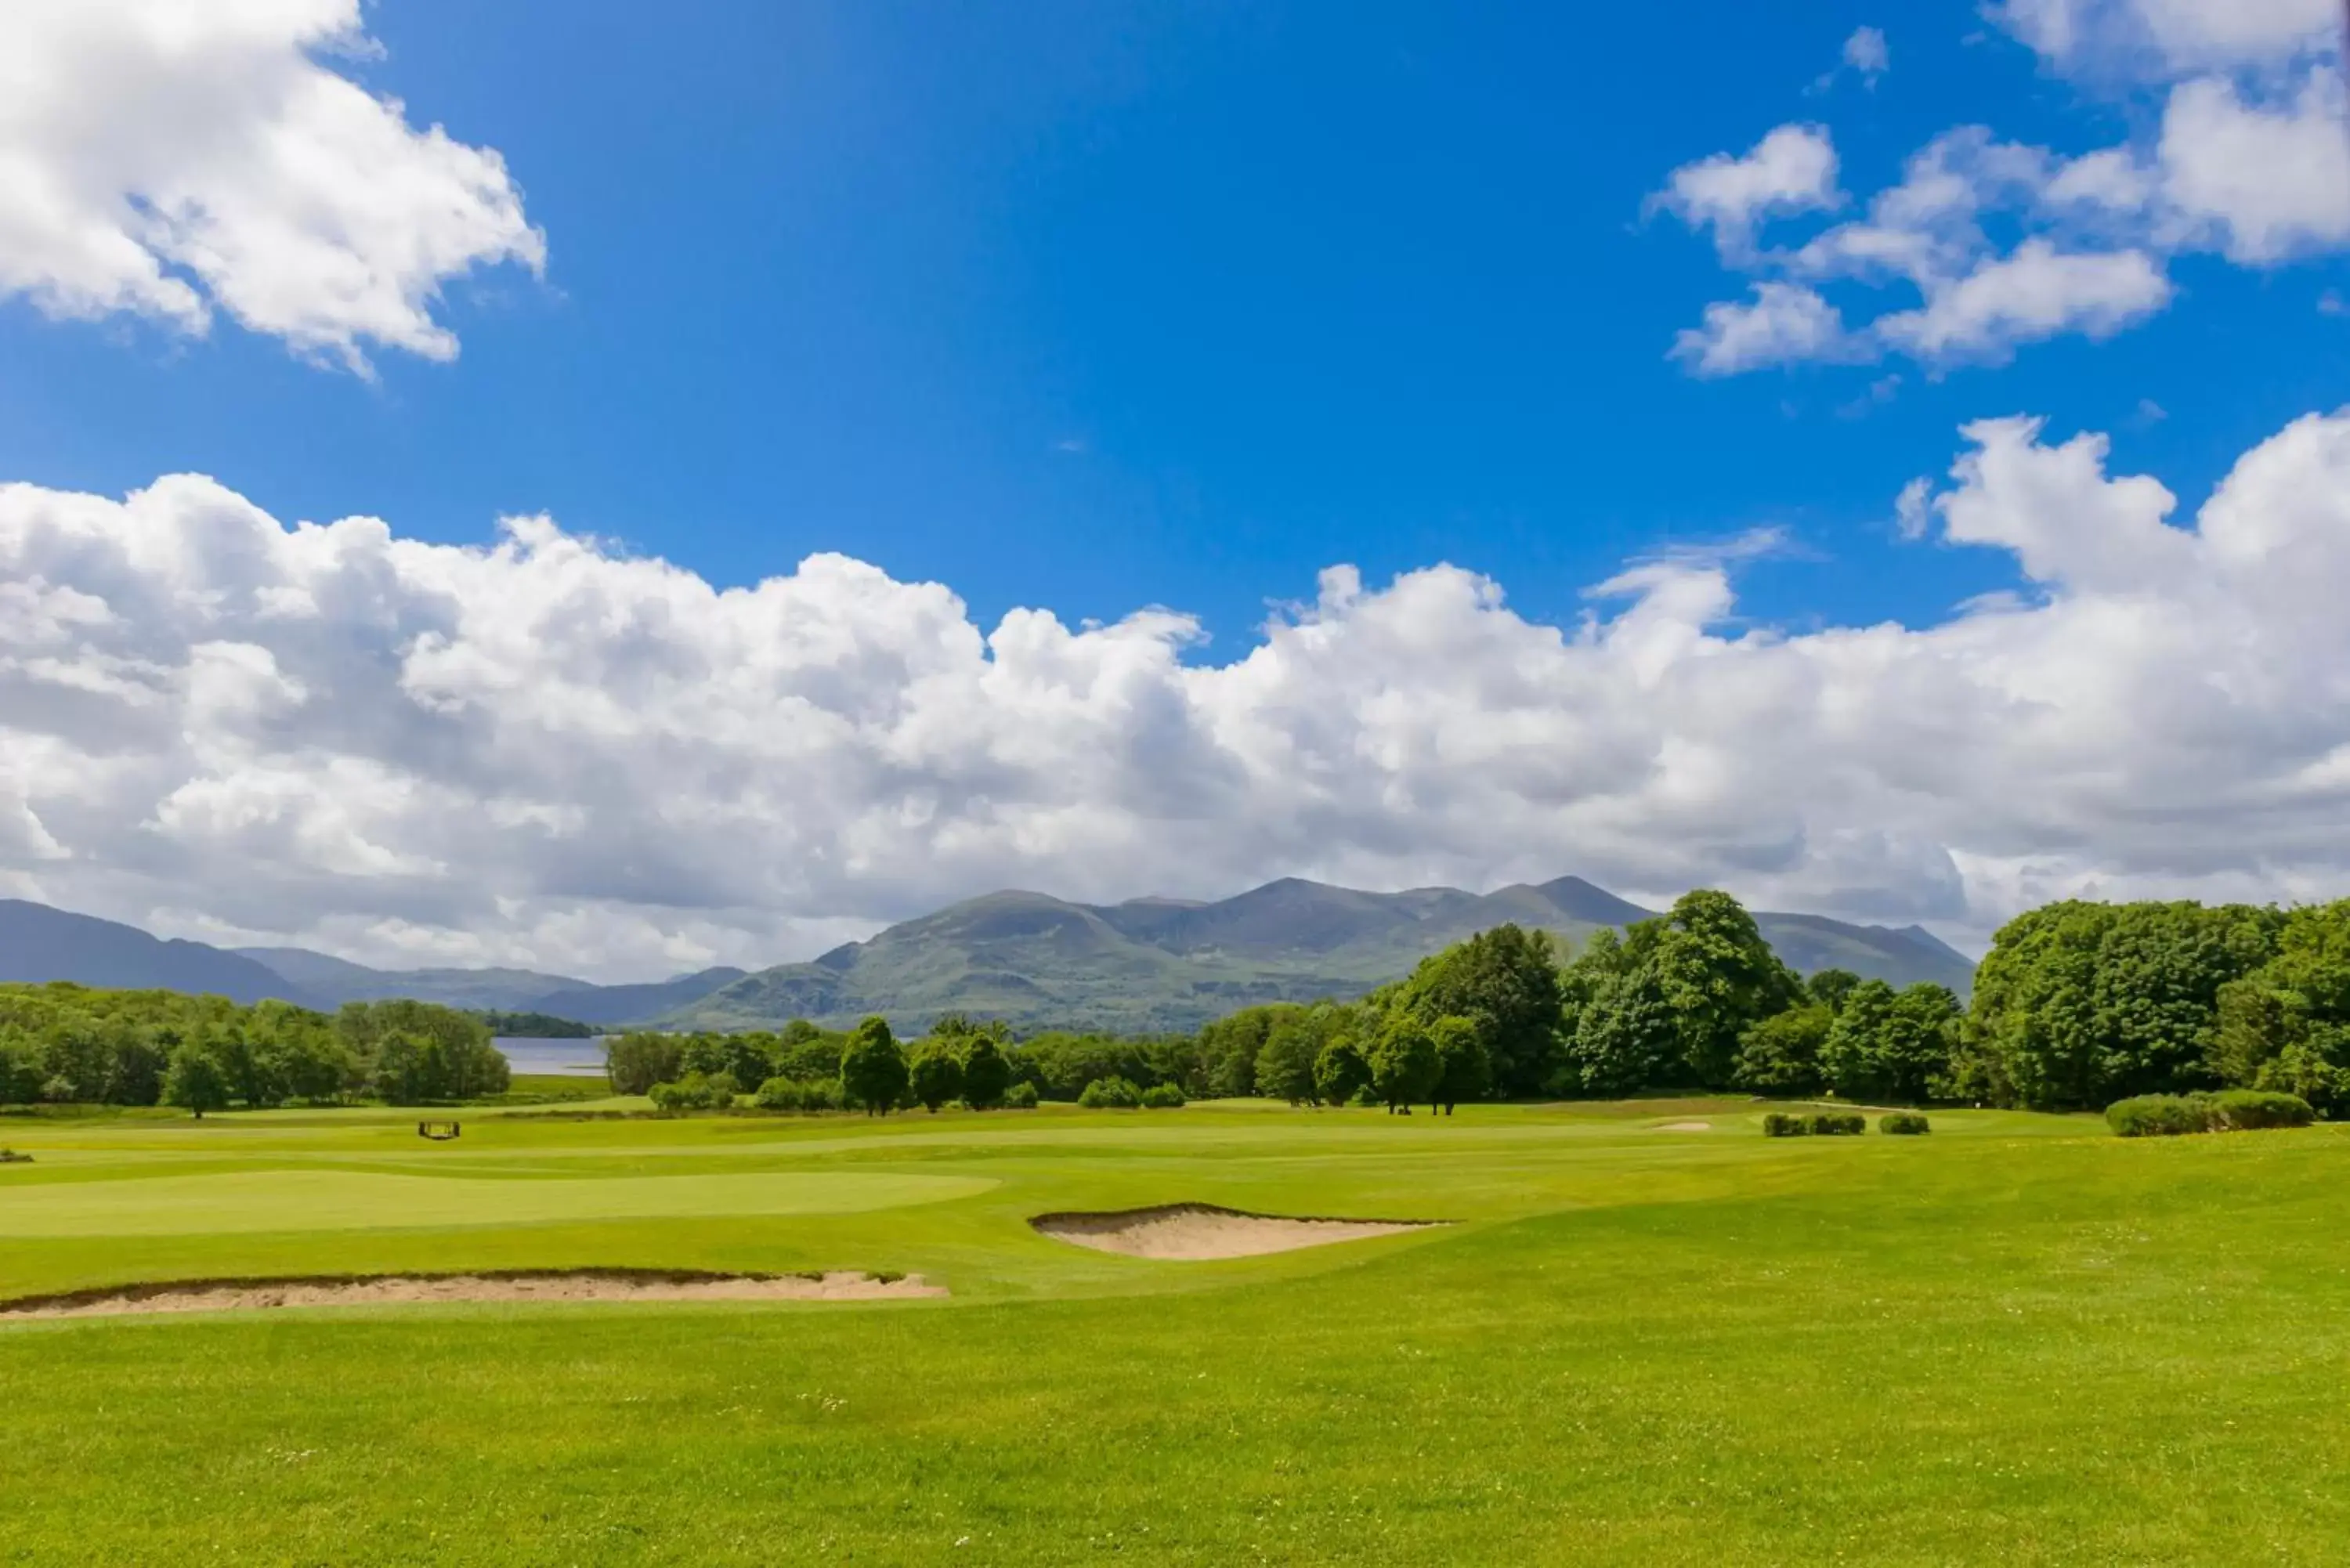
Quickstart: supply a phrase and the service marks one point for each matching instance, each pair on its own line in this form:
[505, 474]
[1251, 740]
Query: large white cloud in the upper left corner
[170, 161]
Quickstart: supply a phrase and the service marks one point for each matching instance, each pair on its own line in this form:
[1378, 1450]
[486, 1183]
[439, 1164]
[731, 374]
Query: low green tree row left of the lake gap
[149, 1047]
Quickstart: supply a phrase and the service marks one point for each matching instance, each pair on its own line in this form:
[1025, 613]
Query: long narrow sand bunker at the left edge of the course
[521, 1287]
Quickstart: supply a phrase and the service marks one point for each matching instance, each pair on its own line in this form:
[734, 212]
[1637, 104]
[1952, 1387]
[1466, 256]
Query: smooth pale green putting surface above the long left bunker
[368, 1200]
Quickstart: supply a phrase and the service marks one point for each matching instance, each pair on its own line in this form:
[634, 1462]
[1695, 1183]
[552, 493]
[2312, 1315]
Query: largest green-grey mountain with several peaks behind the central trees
[1169, 965]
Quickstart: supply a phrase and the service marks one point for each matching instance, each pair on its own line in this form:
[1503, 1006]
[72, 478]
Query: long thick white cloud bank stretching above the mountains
[551, 753]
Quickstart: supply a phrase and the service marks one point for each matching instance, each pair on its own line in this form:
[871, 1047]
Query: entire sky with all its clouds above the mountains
[1660, 373]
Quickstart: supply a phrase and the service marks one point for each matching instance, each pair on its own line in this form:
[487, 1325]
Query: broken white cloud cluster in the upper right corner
[2252, 161]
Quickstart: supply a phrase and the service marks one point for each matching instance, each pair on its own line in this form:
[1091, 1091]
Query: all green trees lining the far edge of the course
[2079, 1005]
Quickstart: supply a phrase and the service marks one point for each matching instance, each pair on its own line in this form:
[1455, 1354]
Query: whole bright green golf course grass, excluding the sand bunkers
[2010, 1341]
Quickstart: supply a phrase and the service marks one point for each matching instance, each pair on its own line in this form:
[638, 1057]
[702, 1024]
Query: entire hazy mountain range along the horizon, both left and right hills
[1026, 958]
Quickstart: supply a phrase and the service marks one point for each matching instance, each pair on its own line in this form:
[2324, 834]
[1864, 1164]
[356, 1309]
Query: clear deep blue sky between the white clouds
[1099, 307]
